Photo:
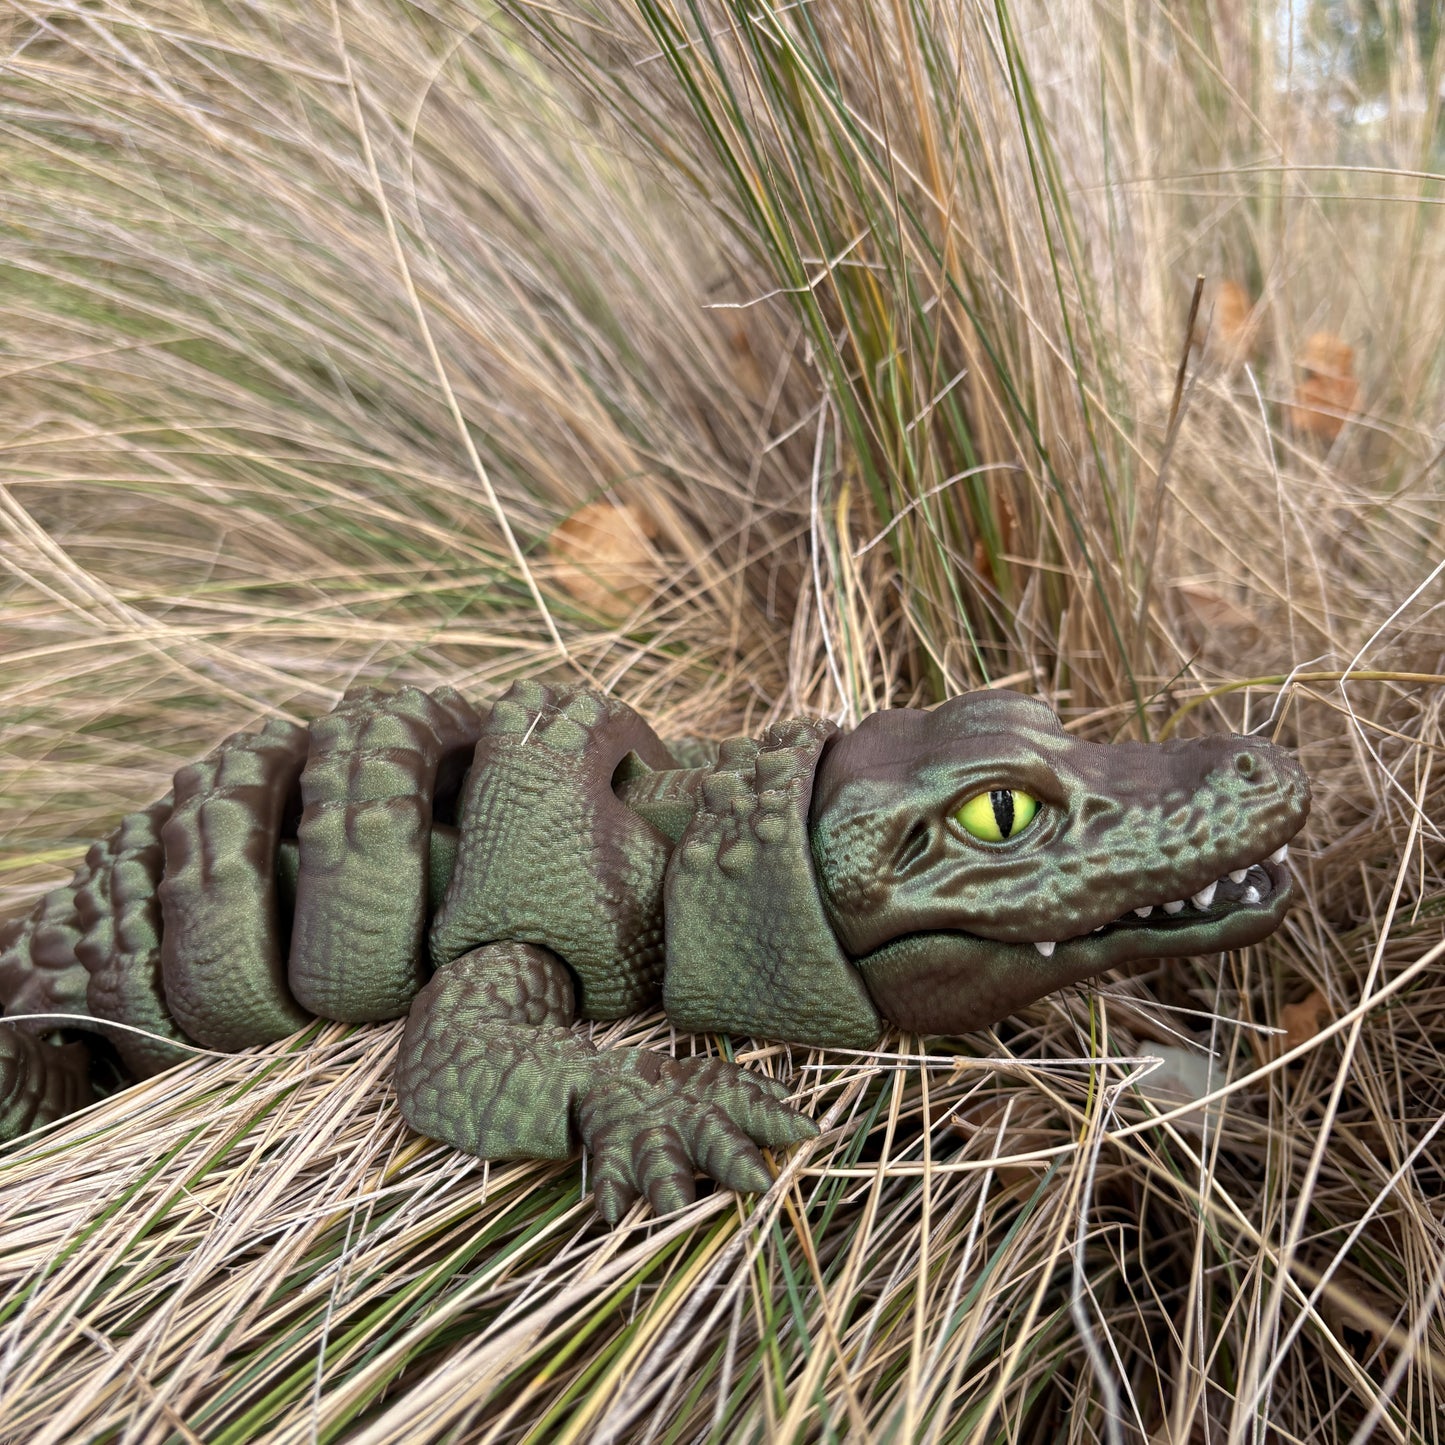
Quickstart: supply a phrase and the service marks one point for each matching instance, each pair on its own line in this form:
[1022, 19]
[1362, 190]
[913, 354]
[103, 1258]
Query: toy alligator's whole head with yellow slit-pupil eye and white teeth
[978, 858]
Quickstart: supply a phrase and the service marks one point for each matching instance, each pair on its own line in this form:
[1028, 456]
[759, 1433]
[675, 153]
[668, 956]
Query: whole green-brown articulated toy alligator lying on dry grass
[553, 860]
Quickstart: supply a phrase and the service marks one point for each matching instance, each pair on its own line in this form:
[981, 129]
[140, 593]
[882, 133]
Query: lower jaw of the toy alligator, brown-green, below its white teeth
[954, 983]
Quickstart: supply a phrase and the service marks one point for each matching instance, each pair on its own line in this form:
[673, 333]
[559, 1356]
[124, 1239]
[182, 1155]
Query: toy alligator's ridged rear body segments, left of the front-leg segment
[178, 926]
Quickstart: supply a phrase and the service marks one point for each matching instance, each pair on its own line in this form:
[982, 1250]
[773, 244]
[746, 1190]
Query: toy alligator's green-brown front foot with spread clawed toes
[657, 1122]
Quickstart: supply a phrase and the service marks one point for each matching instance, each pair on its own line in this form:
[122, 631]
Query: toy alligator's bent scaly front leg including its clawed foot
[491, 1066]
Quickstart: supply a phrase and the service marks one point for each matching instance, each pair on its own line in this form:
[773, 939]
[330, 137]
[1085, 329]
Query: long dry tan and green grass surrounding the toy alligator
[317, 322]
